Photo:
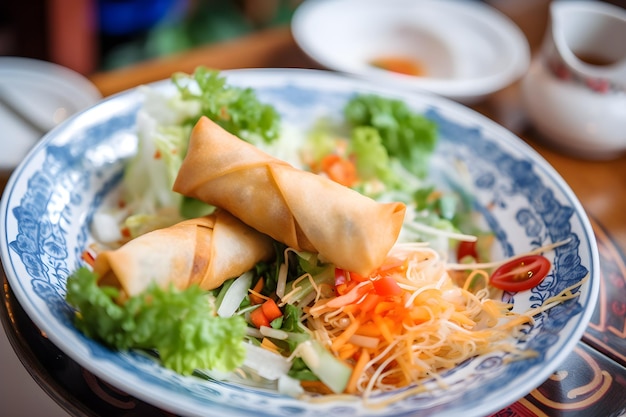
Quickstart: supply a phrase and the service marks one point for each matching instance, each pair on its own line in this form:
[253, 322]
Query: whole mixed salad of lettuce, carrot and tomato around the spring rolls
[297, 323]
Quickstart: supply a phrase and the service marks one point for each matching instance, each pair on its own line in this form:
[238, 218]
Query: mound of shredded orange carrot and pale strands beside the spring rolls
[403, 339]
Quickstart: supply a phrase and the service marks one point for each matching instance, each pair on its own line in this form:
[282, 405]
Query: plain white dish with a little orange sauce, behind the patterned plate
[468, 49]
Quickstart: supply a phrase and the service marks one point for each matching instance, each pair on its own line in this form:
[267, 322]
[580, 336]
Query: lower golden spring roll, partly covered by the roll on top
[205, 251]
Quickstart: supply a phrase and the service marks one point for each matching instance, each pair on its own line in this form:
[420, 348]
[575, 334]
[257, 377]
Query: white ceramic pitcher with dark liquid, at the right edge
[575, 90]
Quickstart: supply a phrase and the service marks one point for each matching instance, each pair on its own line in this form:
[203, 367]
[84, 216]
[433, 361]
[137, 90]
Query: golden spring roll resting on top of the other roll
[303, 210]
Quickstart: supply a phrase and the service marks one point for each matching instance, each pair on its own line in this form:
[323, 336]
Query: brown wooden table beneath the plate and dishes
[600, 186]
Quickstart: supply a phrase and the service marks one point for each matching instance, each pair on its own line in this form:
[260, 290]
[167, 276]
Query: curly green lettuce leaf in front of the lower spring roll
[181, 326]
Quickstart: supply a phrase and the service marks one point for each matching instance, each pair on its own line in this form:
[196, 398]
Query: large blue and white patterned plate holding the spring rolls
[51, 196]
